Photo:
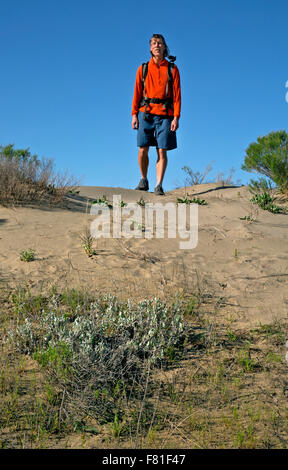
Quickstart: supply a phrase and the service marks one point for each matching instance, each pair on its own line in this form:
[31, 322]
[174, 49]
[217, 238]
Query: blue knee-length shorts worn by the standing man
[156, 131]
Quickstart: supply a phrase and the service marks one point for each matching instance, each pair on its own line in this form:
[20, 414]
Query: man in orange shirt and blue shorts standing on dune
[156, 110]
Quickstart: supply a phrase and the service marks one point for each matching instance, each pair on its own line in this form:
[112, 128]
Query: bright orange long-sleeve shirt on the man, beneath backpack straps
[156, 86]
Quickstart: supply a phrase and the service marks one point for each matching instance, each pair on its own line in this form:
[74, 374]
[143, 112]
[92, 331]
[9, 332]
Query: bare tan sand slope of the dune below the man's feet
[245, 263]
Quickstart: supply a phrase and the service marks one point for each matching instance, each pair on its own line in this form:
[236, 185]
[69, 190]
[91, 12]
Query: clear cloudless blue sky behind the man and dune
[68, 70]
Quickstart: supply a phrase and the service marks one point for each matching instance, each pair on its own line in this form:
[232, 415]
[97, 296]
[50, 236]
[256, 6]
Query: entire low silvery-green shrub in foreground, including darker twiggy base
[109, 342]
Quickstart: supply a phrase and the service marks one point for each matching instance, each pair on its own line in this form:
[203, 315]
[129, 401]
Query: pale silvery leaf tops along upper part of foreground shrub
[150, 327]
